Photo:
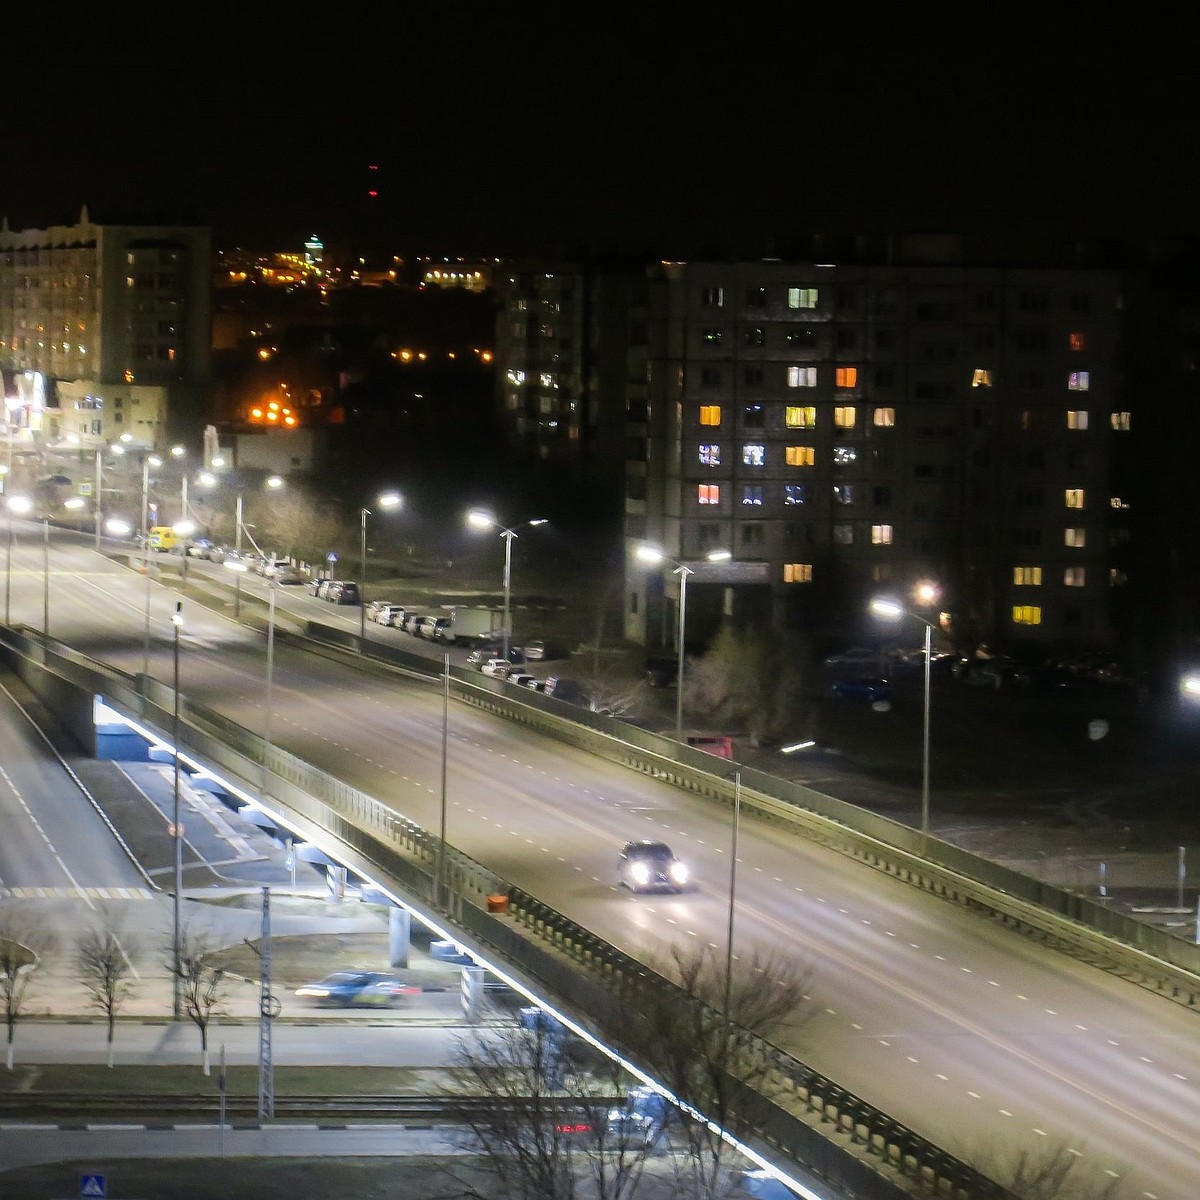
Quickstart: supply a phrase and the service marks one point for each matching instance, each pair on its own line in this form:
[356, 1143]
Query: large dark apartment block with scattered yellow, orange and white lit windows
[848, 431]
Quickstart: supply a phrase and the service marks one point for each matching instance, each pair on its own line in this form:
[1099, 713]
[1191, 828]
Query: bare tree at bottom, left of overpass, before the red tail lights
[544, 1133]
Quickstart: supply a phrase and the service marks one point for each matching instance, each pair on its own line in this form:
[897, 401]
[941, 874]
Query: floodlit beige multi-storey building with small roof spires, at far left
[105, 329]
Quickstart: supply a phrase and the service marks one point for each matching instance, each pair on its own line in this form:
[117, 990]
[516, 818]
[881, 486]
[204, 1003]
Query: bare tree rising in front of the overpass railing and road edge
[705, 1037]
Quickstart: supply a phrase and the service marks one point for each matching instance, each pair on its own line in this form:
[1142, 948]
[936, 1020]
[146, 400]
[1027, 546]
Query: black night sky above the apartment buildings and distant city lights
[535, 135]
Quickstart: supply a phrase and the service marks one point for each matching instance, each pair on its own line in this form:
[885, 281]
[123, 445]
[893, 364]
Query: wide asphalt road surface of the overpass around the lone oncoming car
[981, 1041]
